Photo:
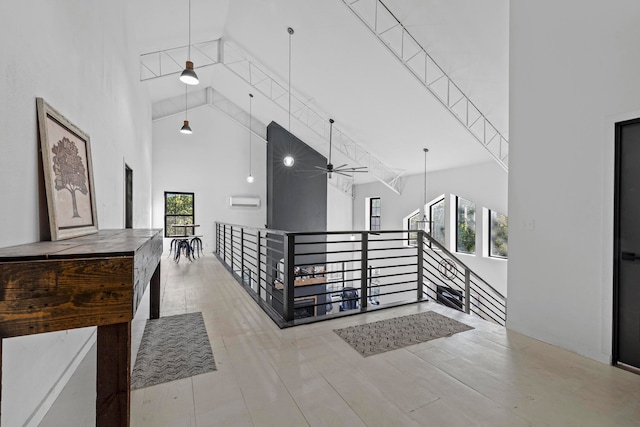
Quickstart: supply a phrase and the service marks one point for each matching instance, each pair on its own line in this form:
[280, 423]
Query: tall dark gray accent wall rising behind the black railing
[296, 198]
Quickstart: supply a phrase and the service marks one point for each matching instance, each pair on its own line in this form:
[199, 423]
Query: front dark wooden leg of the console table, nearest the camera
[113, 400]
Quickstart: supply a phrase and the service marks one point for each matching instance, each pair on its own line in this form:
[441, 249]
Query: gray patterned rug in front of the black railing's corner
[384, 335]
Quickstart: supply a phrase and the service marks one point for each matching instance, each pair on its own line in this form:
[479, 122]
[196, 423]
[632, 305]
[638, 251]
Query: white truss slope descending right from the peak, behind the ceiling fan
[259, 78]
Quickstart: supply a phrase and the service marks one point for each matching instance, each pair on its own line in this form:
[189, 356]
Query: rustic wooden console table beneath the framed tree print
[95, 280]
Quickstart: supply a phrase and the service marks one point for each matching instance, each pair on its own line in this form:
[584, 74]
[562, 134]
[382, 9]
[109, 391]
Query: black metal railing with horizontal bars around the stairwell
[302, 277]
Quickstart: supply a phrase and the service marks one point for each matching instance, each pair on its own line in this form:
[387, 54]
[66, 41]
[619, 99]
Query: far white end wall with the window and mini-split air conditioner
[213, 163]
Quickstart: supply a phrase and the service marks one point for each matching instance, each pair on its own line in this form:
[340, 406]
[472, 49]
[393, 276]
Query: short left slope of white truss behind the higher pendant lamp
[171, 61]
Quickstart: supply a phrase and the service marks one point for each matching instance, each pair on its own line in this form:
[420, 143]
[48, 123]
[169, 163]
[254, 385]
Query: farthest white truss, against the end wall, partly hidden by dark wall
[209, 97]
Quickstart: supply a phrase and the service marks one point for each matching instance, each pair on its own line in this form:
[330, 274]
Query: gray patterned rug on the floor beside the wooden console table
[172, 348]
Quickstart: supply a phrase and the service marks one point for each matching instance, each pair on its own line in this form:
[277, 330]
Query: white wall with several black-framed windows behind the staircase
[485, 184]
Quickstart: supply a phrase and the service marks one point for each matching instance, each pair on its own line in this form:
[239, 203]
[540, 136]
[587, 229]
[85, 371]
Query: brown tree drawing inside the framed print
[69, 170]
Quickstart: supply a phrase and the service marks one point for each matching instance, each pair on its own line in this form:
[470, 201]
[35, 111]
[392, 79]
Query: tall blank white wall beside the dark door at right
[574, 64]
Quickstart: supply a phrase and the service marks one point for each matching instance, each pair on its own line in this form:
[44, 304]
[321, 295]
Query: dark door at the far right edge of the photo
[626, 293]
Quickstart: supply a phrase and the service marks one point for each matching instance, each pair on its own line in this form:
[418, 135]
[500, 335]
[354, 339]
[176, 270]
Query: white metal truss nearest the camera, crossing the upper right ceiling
[390, 31]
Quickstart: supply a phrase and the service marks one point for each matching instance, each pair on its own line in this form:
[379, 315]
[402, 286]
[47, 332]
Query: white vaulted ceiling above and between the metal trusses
[341, 68]
